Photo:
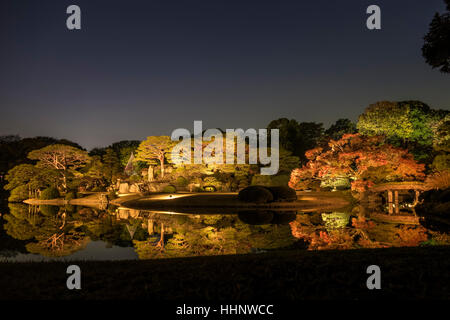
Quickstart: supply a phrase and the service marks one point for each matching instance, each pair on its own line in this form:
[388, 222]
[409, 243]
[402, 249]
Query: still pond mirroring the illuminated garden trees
[43, 233]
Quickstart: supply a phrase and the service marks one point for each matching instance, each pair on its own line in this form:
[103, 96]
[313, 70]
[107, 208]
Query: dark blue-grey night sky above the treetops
[140, 68]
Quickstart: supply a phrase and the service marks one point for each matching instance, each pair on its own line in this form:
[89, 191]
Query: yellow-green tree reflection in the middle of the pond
[205, 235]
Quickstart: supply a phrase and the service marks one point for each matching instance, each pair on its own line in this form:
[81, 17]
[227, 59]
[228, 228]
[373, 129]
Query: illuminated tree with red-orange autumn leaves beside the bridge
[362, 160]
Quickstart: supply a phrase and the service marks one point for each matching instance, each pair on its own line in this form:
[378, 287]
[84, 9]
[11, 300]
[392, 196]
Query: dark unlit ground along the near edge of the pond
[406, 273]
